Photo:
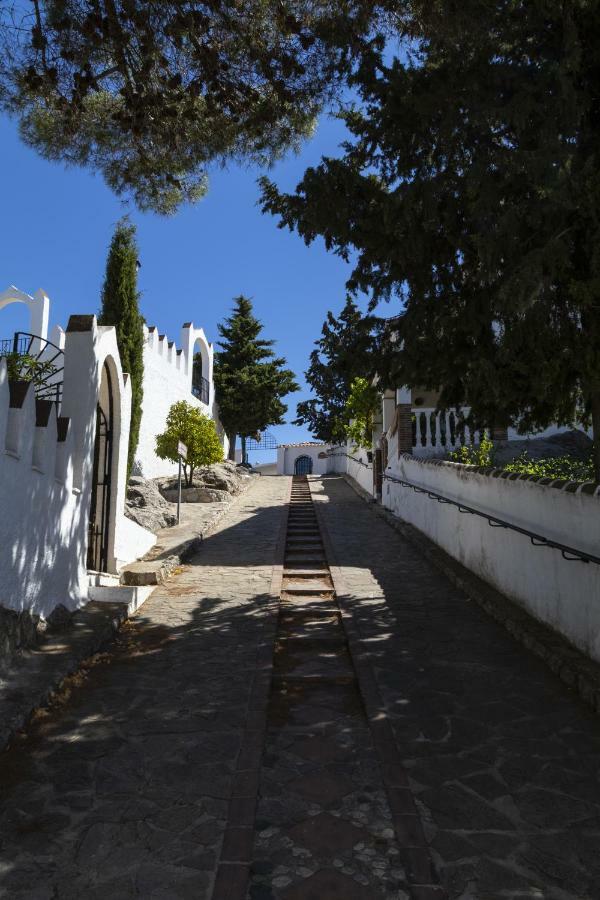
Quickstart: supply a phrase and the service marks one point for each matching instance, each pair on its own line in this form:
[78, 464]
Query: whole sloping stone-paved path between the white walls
[143, 782]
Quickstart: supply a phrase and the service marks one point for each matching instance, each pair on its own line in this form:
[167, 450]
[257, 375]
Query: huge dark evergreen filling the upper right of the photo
[470, 191]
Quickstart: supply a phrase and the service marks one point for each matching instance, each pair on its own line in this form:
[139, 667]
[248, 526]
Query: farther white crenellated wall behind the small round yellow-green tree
[168, 379]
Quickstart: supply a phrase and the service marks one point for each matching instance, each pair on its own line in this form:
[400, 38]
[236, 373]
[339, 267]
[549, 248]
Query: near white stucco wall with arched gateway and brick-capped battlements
[46, 467]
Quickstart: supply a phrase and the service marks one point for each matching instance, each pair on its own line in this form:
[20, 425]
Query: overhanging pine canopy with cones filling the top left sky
[150, 93]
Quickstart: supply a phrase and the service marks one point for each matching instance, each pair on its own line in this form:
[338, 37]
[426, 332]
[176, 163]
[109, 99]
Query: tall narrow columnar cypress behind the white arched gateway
[120, 308]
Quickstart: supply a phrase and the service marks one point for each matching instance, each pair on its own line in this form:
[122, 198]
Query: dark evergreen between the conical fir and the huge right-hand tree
[345, 351]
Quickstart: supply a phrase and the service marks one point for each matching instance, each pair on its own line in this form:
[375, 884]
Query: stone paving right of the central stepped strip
[504, 761]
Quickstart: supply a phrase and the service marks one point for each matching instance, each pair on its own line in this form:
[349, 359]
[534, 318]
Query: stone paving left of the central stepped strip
[123, 791]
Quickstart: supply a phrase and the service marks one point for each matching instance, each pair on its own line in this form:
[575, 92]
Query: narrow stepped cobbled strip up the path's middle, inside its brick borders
[324, 828]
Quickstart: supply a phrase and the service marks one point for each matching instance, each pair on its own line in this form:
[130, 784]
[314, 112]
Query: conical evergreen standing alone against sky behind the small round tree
[250, 381]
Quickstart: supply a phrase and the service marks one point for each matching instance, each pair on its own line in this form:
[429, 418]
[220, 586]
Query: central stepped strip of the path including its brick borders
[334, 816]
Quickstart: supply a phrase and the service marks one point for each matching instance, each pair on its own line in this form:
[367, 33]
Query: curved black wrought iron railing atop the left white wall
[41, 362]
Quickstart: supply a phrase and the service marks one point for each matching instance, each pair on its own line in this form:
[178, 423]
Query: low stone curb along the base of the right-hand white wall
[574, 668]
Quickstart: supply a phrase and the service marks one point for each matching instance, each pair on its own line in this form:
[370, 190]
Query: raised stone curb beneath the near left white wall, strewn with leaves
[35, 675]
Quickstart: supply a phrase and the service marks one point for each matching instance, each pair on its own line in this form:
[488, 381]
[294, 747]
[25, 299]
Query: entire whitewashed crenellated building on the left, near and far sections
[63, 451]
